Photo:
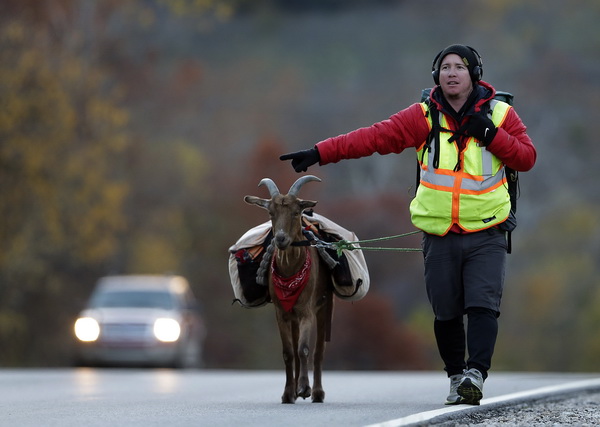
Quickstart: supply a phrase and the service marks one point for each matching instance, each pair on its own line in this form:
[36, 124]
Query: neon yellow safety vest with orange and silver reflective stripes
[473, 195]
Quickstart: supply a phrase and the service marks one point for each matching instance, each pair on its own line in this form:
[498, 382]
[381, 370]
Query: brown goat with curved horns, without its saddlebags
[314, 304]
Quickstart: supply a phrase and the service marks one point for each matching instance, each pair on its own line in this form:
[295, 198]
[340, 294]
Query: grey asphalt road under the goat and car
[137, 397]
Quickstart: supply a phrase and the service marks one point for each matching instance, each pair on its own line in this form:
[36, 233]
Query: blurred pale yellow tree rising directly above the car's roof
[169, 189]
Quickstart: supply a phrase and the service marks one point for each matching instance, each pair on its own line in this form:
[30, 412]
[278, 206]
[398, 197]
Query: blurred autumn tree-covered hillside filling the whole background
[209, 110]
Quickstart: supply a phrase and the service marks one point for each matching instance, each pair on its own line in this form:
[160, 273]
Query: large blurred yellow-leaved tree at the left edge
[61, 130]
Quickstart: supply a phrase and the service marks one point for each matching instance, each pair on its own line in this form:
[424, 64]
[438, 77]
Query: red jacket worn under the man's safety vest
[409, 128]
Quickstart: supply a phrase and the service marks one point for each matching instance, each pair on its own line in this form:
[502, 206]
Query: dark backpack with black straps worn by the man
[512, 176]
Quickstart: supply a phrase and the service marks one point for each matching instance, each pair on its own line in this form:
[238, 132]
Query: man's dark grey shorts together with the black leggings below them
[464, 273]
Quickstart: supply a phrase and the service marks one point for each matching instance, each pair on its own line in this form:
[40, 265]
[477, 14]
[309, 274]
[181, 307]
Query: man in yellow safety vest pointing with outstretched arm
[462, 203]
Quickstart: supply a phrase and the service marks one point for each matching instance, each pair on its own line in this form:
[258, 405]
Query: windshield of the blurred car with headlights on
[136, 299]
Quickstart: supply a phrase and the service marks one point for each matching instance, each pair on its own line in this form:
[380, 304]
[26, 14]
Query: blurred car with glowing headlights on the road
[140, 320]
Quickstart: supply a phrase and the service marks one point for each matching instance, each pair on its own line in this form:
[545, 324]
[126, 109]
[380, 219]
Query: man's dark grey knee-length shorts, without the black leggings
[464, 271]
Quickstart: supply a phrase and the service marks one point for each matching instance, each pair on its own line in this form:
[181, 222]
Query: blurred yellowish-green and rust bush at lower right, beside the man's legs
[549, 310]
